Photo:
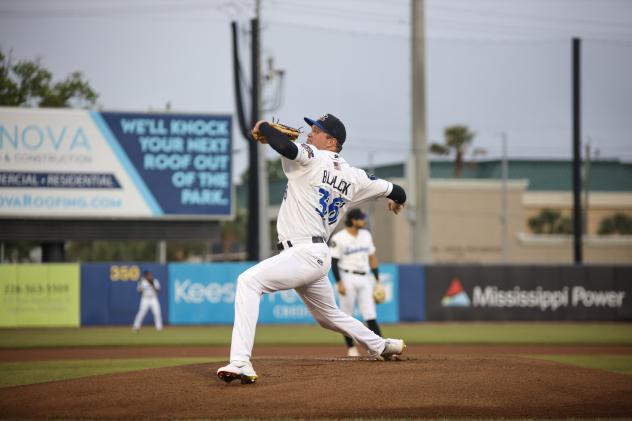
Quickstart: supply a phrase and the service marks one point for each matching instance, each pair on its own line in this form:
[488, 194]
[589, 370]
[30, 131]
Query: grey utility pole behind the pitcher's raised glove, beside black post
[262, 173]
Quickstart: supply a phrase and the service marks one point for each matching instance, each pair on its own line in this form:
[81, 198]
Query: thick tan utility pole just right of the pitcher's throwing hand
[419, 183]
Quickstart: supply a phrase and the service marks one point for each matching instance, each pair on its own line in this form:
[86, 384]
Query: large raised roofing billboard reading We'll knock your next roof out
[77, 163]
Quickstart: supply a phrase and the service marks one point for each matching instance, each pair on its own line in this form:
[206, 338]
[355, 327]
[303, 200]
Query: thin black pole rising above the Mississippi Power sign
[577, 182]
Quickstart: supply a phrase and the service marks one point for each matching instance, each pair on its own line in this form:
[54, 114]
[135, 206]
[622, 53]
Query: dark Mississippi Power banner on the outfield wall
[528, 293]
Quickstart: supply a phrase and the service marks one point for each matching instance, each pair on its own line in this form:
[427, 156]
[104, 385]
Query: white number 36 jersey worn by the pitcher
[321, 187]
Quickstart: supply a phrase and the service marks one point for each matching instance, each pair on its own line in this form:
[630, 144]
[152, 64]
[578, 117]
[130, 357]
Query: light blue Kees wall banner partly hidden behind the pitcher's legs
[205, 293]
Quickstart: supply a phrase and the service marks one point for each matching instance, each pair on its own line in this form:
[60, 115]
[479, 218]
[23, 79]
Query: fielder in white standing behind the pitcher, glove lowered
[352, 256]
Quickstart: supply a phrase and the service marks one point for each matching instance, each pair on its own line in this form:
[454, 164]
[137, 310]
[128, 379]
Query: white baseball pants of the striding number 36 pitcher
[304, 268]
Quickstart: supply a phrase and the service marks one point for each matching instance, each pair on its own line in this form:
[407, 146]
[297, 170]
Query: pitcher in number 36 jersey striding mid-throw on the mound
[321, 187]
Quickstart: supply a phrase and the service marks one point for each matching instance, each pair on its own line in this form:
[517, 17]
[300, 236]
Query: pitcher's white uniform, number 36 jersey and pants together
[321, 187]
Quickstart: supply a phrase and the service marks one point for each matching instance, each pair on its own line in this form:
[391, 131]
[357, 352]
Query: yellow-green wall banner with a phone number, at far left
[39, 295]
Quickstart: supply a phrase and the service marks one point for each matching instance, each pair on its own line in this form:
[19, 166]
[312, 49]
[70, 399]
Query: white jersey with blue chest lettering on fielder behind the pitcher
[352, 252]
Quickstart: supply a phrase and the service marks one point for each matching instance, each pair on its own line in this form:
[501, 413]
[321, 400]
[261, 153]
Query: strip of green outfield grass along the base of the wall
[419, 333]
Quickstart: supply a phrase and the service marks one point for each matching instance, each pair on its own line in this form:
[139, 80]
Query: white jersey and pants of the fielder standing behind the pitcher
[353, 263]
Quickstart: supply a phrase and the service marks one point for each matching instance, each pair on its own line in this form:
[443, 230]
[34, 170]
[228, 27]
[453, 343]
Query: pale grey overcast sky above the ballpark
[493, 65]
